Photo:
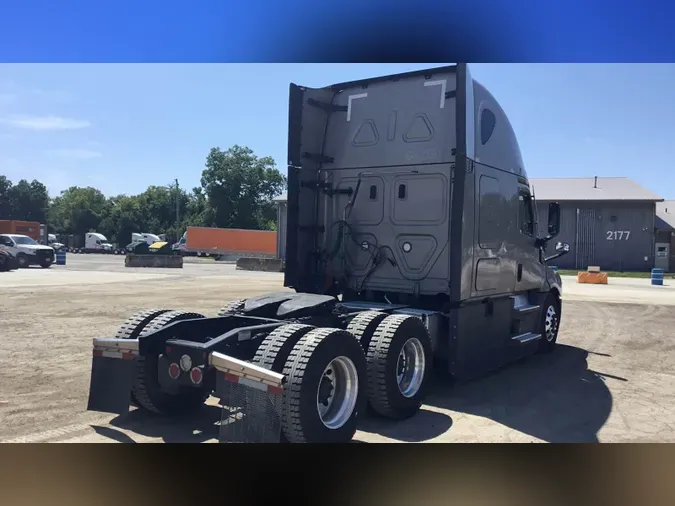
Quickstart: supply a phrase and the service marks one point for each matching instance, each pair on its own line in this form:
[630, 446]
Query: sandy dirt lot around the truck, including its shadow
[610, 380]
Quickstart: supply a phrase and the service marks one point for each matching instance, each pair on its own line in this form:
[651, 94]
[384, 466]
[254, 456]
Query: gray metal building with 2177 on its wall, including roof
[607, 221]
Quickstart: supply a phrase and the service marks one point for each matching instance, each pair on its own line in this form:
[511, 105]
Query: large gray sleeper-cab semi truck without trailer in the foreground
[411, 244]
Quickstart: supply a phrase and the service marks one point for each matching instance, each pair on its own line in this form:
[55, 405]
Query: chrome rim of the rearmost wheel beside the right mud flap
[337, 392]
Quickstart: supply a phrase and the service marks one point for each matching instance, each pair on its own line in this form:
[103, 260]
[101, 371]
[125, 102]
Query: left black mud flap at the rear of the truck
[110, 385]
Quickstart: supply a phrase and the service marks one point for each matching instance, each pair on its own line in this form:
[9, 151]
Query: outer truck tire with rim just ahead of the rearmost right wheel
[399, 360]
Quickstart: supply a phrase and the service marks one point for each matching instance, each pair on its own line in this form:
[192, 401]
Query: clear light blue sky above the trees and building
[123, 127]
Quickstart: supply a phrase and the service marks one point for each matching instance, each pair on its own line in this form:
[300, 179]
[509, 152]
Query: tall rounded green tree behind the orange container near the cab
[239, 188]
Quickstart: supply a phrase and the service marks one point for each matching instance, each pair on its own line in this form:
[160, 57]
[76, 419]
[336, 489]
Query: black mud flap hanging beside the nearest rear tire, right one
[249, 415]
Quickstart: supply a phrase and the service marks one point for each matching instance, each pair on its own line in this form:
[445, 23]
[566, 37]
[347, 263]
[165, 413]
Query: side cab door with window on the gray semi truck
[529, 269]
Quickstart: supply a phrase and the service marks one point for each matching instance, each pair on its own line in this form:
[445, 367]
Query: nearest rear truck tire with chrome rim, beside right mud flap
[325, 391]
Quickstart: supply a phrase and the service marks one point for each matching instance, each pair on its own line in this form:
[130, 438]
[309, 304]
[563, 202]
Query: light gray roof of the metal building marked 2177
[588, 188]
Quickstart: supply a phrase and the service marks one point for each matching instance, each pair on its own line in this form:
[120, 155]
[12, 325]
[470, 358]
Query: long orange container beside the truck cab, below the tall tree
[261, 242]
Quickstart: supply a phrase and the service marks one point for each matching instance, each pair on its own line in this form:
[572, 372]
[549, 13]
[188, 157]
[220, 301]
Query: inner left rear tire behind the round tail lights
[146, 389]
